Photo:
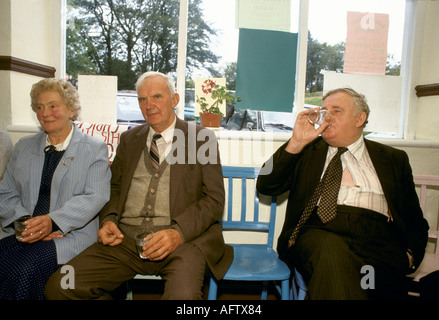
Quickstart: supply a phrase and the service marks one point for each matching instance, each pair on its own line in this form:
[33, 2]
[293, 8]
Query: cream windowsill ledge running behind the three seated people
[268, 136]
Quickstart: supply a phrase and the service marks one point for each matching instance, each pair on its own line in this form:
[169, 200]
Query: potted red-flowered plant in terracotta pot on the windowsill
[211, 114]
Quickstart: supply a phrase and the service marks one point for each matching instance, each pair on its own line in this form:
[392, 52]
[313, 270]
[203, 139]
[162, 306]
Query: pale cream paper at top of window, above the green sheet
[264, 14]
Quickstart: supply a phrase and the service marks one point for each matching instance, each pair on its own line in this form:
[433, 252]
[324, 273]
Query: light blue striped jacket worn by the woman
[80, 188]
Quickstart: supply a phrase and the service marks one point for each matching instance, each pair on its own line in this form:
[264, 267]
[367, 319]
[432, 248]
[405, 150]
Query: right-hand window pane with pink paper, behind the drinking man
[342, 30]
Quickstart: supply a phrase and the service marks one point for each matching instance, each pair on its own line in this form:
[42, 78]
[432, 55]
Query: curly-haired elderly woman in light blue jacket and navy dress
[61, 178]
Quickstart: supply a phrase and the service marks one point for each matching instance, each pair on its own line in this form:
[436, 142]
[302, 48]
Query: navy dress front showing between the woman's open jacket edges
[51, 160]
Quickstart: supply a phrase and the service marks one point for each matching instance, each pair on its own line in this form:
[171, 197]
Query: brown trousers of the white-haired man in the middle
[100, 269]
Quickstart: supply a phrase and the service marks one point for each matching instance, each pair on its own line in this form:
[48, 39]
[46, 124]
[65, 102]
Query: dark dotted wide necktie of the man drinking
[328, 189]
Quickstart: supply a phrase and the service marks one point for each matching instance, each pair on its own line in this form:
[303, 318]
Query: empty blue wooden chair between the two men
[252, 262]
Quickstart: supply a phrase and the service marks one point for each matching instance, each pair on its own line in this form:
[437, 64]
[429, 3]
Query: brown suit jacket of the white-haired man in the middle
[196, 191]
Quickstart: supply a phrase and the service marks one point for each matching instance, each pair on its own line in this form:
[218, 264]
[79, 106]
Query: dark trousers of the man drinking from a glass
[355, 256]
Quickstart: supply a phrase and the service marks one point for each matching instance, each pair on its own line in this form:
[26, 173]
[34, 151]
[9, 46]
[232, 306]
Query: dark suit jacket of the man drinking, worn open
[300, 174]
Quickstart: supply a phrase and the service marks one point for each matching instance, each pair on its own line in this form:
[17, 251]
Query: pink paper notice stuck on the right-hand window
[366, 43]
